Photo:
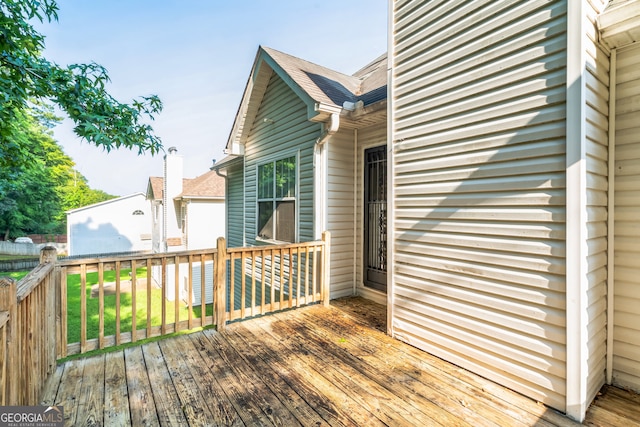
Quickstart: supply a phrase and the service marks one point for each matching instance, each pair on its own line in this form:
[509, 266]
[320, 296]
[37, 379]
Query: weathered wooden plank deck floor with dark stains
[312, 366]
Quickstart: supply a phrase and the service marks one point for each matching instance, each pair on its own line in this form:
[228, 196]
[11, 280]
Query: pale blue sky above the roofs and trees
[196, 55]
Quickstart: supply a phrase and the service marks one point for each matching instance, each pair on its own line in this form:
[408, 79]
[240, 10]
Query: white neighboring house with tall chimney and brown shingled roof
[187, 214]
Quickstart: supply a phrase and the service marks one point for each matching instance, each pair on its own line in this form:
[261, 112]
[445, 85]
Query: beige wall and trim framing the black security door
[369, 137]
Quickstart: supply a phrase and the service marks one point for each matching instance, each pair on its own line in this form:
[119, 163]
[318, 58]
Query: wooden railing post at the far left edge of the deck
[11, 371]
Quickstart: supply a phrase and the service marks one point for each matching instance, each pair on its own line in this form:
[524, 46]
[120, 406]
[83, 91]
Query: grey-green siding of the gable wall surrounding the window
[281, 129]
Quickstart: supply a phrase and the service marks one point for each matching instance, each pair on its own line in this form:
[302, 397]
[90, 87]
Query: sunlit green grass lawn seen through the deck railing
[93, 310]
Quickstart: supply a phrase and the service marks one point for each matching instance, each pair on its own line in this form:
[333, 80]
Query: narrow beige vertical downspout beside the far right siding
[611, 212]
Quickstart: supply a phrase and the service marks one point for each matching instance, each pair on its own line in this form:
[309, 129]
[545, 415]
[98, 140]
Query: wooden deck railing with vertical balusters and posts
[74, 306]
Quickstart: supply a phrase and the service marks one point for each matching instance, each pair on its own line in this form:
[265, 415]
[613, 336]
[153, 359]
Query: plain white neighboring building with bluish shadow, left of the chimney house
[117, 225]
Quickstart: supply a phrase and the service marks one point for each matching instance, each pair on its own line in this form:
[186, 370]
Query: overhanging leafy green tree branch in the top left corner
[78, 89]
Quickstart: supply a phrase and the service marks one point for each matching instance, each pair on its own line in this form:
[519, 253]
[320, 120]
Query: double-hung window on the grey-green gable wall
[277, 200]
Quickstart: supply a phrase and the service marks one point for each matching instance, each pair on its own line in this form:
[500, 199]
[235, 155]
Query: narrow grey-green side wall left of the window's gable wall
[235, 206]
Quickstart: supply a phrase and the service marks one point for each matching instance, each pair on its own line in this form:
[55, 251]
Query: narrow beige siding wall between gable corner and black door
[340, 212]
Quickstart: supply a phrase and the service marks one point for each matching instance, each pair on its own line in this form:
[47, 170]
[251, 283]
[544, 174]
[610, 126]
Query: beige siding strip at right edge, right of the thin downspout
[626, 335]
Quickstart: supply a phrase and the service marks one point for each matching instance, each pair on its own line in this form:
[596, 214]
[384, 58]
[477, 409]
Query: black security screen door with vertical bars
[375, 218]
